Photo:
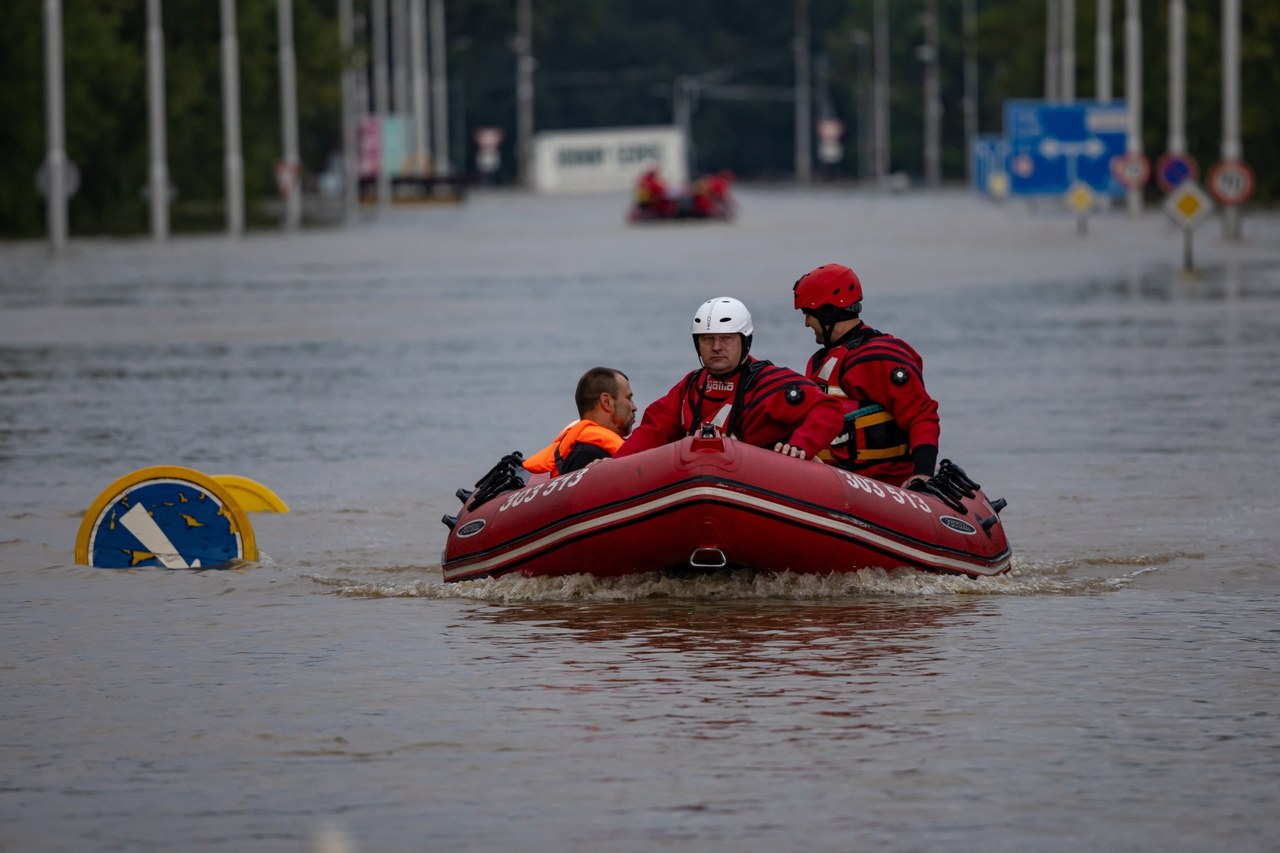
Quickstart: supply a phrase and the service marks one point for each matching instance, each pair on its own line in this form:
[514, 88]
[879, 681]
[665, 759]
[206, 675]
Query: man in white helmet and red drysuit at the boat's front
[738, 395]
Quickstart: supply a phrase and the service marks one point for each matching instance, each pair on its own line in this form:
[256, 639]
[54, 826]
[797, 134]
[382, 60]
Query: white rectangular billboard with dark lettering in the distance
[606, 161]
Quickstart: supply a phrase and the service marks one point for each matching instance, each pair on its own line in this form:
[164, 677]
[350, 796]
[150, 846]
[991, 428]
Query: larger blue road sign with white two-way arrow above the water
[1054, 147]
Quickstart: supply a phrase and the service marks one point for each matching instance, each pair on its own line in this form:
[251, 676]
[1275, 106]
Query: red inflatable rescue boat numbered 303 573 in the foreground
[711, 503]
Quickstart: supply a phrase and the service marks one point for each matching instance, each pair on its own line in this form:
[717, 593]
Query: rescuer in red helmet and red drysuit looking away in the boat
[892, 423]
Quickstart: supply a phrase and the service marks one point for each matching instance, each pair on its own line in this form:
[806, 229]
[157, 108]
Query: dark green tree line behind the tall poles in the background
[601, 63]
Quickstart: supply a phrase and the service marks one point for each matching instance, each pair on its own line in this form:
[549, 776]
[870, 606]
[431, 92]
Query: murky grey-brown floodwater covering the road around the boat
[1118, 691]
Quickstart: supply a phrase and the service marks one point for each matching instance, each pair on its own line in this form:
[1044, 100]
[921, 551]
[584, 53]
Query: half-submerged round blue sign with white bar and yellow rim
[166, 516]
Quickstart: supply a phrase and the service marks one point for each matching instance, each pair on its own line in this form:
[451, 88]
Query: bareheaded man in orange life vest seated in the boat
[607, 412]
